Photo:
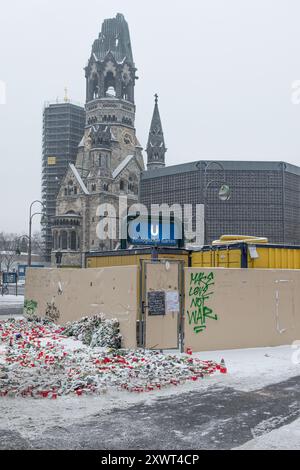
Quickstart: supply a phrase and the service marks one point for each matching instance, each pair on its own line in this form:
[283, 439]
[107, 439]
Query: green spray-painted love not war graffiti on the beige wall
[200, 291]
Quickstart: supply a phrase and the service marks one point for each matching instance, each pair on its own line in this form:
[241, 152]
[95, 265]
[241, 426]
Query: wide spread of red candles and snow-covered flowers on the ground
[36, 362]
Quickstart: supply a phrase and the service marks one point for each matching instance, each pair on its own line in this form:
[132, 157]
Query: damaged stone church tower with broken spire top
[109, 160]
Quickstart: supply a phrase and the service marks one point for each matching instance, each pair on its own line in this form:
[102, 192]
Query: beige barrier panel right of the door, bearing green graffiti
[241, 308]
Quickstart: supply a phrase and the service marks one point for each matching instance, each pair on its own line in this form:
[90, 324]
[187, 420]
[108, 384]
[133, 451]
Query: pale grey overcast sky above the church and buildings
[223, 70]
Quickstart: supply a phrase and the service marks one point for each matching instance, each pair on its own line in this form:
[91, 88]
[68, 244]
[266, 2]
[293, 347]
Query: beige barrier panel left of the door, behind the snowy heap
[84, 292]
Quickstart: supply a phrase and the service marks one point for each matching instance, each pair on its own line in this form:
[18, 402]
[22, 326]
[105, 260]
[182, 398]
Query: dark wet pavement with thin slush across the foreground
[215, 418]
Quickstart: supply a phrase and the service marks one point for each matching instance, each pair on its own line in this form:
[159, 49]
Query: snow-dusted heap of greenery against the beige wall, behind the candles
[96, 331]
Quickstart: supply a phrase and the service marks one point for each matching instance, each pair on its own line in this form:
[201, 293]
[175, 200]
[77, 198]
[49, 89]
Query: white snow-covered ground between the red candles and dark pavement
[248, 369]
